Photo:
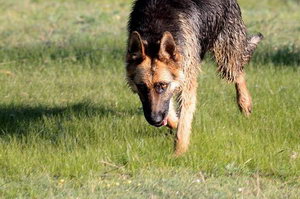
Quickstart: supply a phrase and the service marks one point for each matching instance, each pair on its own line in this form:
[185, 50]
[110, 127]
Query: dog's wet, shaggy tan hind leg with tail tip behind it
[232, 52]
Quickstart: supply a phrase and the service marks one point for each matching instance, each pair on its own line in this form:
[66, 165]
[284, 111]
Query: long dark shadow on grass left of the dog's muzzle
[16, 120]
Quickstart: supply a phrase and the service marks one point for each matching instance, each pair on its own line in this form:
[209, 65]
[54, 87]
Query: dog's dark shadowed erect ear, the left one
[136, 50]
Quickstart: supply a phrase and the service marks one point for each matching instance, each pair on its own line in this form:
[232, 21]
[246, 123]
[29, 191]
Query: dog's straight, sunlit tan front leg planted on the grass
[187, 109]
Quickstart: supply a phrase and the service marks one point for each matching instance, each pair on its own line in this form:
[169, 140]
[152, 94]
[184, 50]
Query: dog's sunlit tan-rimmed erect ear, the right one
[168, 49]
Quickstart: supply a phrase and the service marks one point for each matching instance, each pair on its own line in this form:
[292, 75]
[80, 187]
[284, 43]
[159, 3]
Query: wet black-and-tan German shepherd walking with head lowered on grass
[167, 41]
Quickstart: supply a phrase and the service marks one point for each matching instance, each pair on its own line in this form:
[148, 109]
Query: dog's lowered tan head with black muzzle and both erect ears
[154, 76]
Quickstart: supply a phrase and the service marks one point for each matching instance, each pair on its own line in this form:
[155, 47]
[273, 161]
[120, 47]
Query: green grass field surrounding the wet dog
[70, 127]
